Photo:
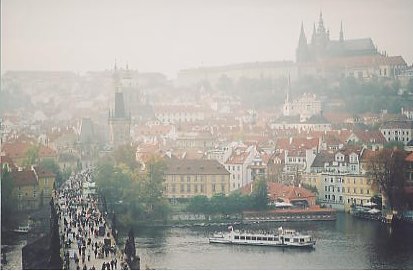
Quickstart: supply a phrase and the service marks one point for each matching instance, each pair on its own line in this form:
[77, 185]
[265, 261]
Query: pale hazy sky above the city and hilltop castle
[169, 35]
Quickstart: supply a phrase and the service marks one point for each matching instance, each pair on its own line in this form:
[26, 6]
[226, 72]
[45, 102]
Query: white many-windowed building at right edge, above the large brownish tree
[400, 131]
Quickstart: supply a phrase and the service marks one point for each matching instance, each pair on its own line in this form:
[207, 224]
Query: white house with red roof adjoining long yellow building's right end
[238, 166]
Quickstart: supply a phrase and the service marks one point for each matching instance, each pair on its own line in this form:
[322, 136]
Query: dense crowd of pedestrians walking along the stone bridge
[85, 237]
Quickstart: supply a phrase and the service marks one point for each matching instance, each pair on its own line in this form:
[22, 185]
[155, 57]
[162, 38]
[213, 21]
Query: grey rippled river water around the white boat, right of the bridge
[347, 243]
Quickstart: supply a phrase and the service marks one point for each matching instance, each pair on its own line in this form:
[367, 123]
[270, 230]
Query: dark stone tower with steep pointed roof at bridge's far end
[119, 120]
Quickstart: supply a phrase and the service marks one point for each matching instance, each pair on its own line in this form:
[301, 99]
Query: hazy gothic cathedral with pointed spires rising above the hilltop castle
[322, 47]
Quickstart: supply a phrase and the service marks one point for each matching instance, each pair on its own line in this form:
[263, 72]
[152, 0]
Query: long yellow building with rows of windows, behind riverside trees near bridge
[189, 178]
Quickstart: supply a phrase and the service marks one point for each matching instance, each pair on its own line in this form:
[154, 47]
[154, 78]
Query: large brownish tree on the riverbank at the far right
[387, 169]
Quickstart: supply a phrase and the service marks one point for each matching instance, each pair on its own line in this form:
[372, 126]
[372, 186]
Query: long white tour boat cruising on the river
[284, 238]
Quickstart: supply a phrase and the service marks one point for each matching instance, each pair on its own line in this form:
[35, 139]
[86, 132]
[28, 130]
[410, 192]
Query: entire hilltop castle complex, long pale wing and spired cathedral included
[319, 57]
